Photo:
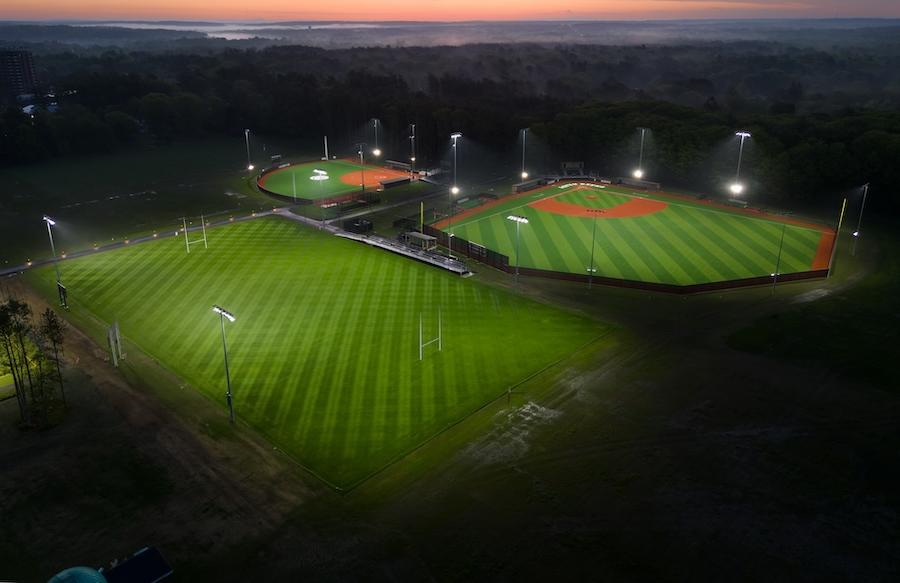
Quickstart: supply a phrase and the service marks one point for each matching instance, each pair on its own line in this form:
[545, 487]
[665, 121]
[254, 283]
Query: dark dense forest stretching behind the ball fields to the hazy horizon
[582, 102]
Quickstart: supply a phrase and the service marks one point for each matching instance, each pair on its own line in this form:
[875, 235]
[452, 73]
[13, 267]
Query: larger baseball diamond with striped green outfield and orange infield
[642, 237]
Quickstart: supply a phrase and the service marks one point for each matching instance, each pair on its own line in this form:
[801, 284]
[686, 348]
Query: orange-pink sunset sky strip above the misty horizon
[442, 9]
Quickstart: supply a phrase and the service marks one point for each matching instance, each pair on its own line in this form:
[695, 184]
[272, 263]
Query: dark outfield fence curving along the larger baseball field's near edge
[499, 261]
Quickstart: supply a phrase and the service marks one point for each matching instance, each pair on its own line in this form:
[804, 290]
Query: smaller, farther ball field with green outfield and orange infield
[344, 178]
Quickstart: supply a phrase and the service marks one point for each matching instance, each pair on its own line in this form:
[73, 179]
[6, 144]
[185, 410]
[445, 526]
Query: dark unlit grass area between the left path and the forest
[103, 198]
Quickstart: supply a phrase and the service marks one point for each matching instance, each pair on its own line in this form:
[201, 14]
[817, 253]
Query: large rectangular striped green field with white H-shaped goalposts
[324, 352]
